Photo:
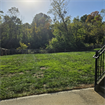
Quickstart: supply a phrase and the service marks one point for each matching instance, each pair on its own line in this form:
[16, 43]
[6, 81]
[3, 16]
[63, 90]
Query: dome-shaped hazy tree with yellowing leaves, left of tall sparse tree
[41, 31]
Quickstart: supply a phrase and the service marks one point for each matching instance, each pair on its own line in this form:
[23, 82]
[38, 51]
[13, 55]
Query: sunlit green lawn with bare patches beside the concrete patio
[28, 74]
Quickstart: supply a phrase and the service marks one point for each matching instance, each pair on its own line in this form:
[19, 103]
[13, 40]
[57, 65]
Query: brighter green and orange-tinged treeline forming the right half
[86, 32]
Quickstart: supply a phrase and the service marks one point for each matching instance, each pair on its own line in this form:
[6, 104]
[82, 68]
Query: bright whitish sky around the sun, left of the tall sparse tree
[27, 8]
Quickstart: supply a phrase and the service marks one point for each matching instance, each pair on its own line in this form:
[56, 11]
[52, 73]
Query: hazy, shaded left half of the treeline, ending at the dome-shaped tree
[14, 34]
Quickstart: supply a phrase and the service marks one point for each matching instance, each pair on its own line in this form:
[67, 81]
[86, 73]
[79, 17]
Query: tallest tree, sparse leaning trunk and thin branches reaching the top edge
[62, 34]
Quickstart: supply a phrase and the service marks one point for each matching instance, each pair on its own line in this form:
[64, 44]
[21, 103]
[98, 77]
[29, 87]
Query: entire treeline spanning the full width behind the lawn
[58, 35]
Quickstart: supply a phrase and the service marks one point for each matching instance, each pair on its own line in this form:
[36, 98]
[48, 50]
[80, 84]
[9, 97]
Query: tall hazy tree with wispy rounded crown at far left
[11, 29]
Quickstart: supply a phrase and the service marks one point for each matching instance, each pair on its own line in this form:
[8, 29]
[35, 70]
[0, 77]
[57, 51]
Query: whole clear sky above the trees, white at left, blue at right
[29, 8]
